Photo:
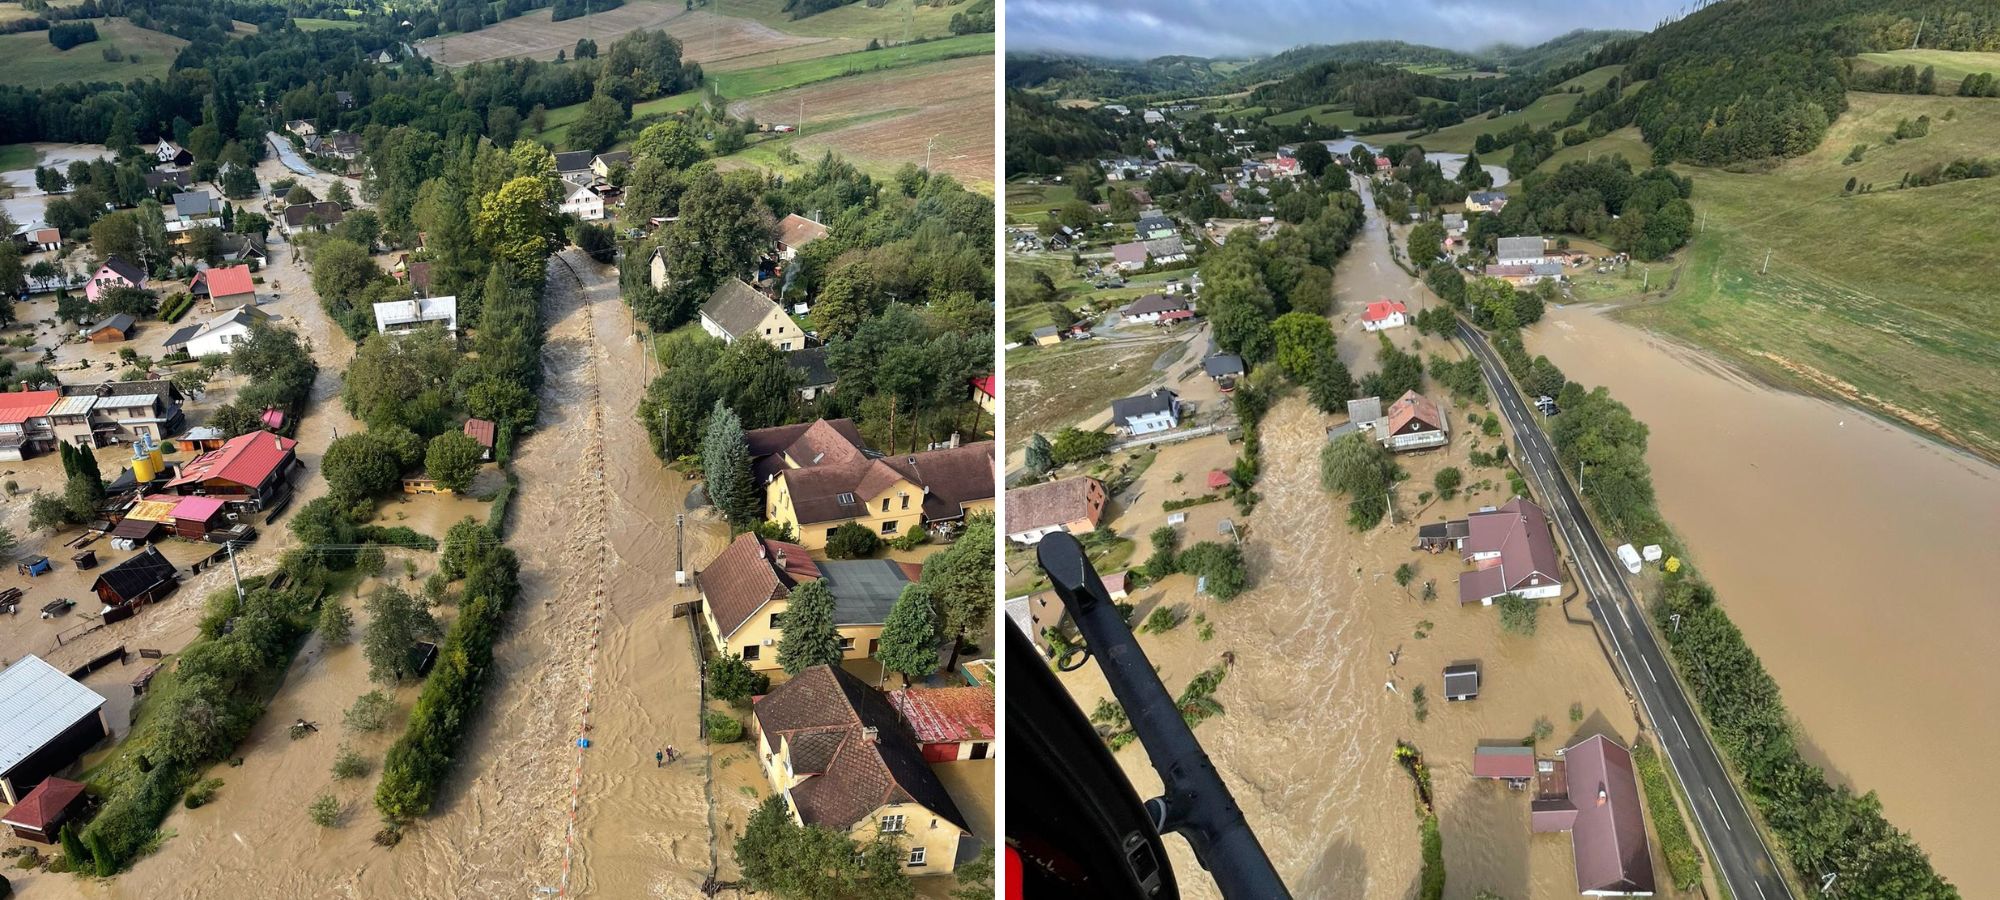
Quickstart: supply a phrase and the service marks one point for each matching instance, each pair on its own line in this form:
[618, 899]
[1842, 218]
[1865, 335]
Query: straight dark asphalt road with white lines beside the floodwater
[1735, 845]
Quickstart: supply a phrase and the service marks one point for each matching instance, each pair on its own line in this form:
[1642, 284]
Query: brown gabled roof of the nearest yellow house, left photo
[827, 715]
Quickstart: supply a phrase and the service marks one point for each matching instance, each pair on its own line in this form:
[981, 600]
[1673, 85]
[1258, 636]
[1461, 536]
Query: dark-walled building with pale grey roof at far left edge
[47, 721]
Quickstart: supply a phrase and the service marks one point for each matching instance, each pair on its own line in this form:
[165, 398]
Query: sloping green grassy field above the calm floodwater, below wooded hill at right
[1883, 299]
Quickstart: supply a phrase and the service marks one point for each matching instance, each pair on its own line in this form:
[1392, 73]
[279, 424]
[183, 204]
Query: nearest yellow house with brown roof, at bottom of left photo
[841, 757]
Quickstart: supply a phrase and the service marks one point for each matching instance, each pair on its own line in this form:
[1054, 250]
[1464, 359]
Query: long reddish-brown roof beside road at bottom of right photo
[1609, 831]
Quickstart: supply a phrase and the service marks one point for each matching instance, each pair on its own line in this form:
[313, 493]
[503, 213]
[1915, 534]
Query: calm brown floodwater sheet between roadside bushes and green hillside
[1853, 555]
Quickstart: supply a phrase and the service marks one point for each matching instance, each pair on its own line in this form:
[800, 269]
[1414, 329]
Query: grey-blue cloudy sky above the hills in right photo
[1145, 29]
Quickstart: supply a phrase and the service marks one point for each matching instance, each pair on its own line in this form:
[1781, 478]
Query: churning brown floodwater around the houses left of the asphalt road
[1309, 729]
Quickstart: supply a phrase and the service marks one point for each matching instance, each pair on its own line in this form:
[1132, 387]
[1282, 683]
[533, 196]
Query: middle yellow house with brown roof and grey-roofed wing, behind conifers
[745, 597]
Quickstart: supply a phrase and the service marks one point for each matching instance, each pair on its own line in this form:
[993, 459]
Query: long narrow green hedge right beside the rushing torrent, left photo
[419, 765]
